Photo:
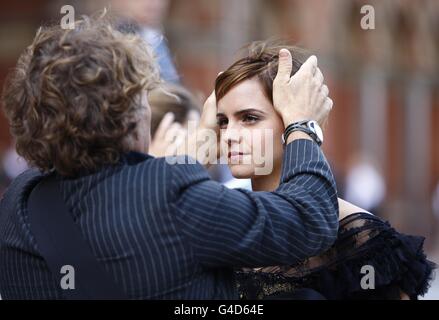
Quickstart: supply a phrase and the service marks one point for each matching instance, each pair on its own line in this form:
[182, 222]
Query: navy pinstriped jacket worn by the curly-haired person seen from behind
[170, 232]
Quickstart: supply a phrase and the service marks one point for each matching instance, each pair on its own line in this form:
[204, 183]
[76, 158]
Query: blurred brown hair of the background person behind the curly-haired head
[171, 98]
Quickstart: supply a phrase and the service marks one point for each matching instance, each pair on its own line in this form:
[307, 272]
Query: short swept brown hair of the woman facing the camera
[261, 61]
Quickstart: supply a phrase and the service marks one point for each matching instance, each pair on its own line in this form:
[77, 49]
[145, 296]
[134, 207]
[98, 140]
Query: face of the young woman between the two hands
[251, 131]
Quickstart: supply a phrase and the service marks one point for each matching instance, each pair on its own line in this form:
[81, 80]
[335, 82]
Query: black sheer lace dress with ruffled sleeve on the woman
[398, 261]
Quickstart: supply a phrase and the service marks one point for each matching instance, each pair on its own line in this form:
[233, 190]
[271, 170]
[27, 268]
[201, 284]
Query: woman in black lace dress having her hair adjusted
[244, 93]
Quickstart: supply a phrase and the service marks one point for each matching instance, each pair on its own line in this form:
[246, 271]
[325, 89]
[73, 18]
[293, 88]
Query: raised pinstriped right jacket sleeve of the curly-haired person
[237, 228]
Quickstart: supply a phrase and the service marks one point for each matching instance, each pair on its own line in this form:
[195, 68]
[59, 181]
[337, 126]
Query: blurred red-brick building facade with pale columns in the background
[384, 82]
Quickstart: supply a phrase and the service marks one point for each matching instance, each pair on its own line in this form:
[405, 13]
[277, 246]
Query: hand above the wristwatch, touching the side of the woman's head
[303, 96]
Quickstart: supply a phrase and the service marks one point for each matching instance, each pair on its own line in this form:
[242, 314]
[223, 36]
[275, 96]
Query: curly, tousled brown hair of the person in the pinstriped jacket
[74, 99]
